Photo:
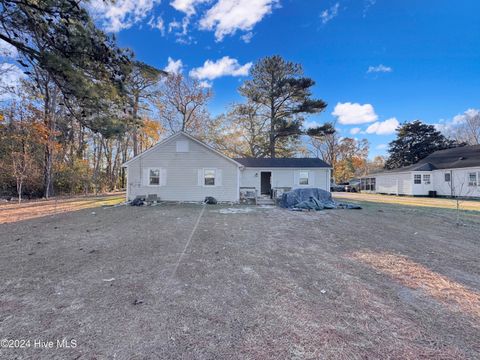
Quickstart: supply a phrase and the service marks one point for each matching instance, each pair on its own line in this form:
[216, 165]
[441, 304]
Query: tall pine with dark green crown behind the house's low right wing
[282, 97]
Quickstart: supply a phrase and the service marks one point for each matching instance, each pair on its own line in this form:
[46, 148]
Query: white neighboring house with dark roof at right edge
[450, 172]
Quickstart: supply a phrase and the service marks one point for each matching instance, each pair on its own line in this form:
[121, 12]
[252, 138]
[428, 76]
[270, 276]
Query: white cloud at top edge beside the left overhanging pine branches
[121, 14]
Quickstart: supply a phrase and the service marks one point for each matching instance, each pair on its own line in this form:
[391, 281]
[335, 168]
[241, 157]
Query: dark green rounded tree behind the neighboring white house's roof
[415, 141]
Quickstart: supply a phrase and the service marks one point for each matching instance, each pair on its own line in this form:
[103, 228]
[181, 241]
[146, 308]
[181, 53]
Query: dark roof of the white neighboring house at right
[454, 158]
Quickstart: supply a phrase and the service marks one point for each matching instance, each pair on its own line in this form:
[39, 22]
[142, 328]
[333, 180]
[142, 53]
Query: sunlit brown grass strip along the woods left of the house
[30, 210]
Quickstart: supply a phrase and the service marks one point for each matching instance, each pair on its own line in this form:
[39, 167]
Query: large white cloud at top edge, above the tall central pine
[228, 16]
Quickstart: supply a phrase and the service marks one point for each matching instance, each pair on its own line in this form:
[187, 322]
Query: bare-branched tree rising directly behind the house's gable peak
[181, 104]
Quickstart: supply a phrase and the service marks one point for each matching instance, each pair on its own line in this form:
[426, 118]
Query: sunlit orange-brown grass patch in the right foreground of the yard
[417, 276]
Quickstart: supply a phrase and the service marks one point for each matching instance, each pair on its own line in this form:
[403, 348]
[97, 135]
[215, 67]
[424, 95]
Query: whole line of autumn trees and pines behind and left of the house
[86, 106]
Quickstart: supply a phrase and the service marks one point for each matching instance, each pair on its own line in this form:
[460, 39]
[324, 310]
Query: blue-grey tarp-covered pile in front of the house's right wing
[312, 199]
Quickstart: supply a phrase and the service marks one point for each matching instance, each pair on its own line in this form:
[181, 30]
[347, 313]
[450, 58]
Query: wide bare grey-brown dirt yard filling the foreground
[188, 281]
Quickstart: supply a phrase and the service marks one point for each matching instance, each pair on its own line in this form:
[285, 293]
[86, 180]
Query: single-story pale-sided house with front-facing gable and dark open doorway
[183, 168]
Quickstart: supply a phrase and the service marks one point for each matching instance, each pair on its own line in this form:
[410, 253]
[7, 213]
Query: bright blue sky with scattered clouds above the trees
[423, 56]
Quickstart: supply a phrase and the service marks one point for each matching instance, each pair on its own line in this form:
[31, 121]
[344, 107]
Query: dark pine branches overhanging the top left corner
[61, 39]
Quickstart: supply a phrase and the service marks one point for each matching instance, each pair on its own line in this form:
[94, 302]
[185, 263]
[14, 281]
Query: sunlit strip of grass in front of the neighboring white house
[441, 203]
